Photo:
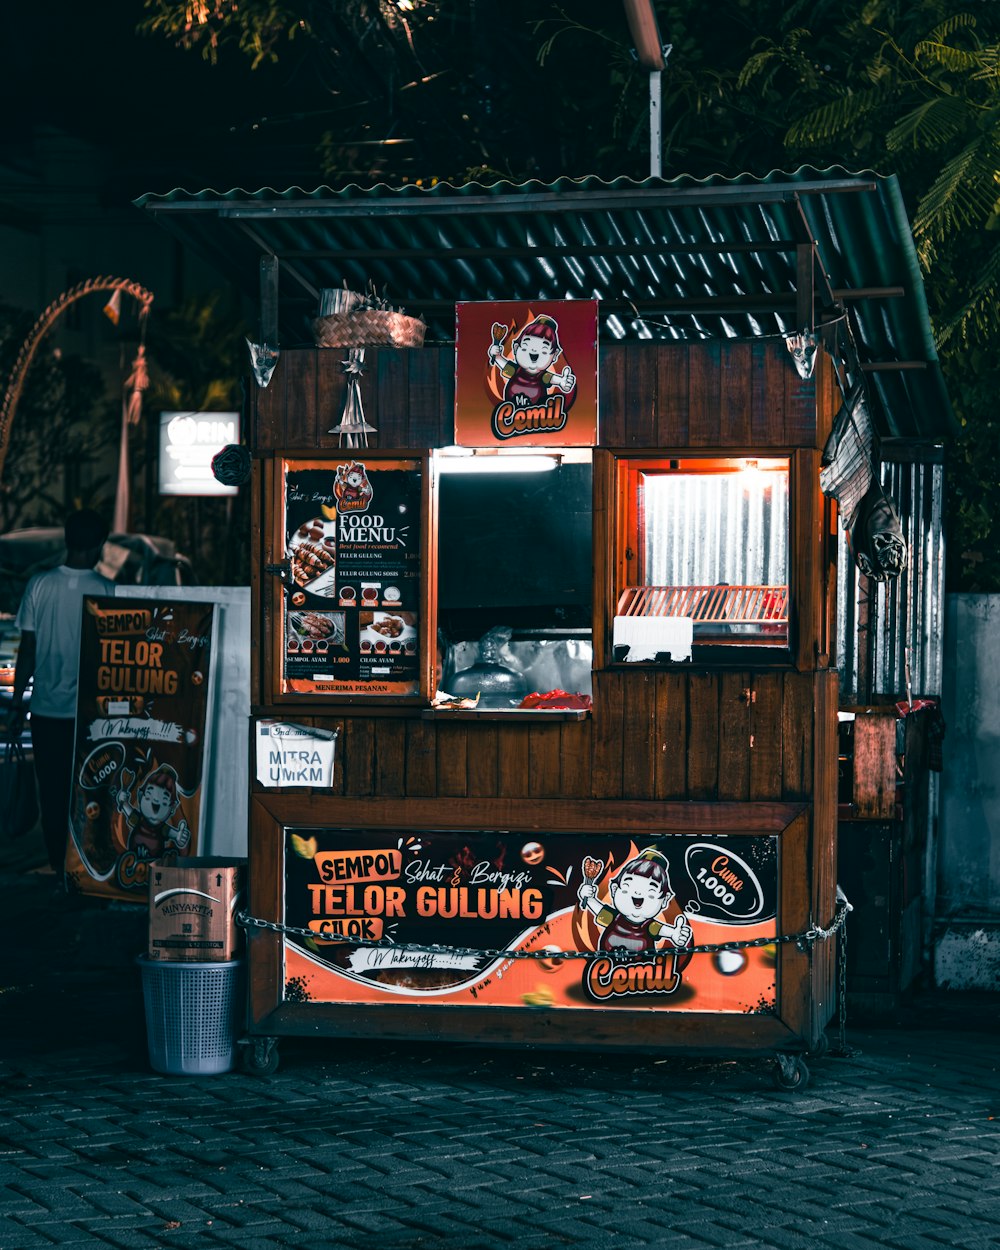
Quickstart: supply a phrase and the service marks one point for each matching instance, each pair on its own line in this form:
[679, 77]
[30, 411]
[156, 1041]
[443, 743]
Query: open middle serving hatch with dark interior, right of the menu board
[516, 579]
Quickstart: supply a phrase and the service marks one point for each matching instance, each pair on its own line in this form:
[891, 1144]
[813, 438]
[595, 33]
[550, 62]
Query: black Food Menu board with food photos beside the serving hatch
[353, 587]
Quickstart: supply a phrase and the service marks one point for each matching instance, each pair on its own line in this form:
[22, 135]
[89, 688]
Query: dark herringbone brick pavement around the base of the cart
[416, 1148]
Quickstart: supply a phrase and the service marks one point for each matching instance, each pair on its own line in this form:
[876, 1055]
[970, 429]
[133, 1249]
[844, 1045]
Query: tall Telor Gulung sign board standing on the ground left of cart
[139, 762]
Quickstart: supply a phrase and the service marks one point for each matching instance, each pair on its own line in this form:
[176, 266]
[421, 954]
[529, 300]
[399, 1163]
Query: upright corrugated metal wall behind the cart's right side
[886, 628]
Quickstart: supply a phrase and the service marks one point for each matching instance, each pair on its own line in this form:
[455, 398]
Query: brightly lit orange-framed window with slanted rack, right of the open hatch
[704, 552]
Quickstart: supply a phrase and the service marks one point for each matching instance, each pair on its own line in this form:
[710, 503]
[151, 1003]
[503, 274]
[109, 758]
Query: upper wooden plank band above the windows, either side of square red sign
[671, 396]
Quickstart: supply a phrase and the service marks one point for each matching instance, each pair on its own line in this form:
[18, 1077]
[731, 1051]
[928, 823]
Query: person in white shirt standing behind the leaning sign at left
[49, 619]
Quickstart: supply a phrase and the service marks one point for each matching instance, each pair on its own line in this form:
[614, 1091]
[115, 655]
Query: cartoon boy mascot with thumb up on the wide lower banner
[639, 896]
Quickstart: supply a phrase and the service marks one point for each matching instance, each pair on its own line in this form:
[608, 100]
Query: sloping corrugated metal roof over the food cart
[668, 259]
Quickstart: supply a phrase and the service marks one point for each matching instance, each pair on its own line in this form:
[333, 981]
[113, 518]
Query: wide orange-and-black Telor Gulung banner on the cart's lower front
[448, 918]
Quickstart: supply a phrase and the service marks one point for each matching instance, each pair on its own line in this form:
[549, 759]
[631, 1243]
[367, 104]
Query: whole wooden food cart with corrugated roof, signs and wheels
[586, 773]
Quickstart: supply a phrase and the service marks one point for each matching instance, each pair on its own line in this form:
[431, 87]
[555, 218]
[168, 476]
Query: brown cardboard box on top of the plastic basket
[193, 906]
